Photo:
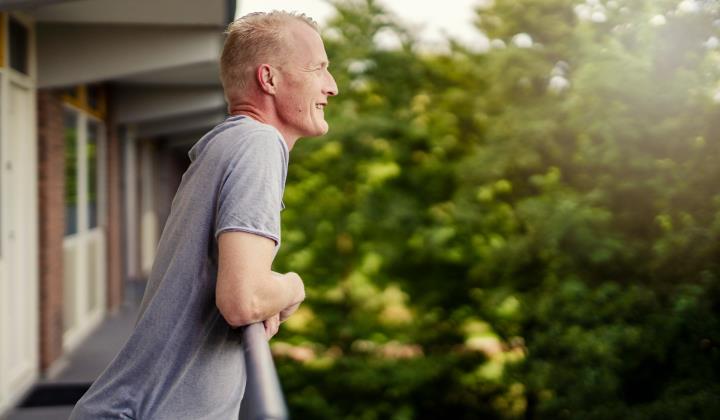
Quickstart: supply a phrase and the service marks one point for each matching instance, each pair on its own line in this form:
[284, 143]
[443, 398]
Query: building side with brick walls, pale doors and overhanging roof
[99, 102]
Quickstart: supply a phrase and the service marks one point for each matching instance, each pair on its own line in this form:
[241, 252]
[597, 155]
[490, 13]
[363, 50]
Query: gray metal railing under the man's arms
[263, 399]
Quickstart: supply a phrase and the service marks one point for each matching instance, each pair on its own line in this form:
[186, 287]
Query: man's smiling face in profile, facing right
[305, 84]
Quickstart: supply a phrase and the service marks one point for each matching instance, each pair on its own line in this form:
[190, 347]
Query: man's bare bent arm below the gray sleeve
[247, 291]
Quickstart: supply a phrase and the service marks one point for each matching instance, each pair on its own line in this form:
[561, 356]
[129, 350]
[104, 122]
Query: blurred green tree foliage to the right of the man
[527, 232]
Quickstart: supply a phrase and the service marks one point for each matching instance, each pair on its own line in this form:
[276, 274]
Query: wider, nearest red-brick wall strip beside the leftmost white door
[52, 224]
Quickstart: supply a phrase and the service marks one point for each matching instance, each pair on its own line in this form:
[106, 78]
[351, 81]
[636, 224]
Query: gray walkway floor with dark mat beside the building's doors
[53, 398]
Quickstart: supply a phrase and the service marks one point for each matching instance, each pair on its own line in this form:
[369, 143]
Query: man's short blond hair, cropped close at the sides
[253, 39]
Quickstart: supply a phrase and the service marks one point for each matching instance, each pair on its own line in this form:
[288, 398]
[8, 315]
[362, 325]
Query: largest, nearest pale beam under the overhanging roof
[70, 54]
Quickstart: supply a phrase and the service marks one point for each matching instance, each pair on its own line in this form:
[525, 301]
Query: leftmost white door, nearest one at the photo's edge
[19, 264]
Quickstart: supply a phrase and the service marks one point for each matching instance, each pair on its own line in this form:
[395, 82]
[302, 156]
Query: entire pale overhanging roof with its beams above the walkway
[161, 57]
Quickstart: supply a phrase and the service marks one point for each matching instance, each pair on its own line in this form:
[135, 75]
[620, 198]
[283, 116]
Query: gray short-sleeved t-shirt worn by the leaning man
[183, 360]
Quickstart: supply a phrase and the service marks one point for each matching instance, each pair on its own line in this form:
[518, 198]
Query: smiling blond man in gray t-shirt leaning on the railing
[212, 271]
